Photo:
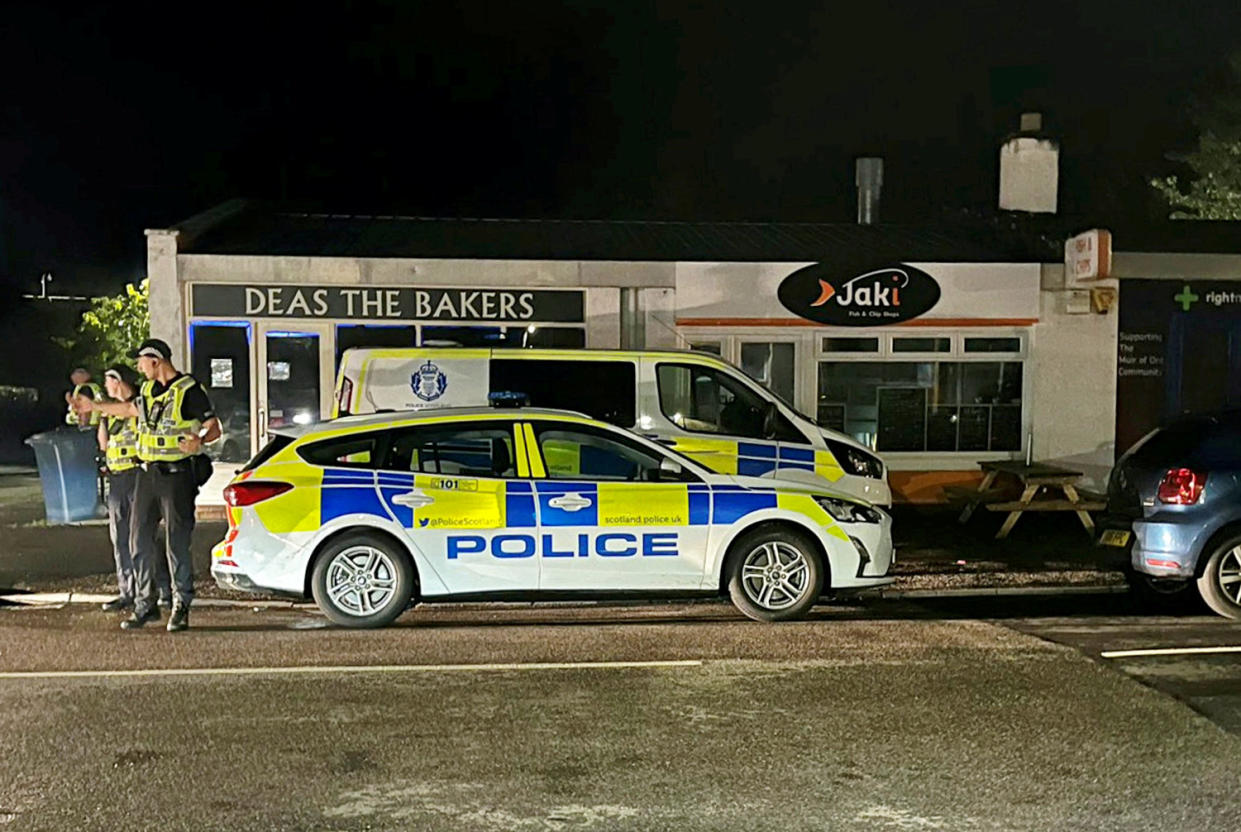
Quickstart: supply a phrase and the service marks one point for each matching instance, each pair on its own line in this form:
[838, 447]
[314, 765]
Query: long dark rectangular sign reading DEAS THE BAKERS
[387, 304]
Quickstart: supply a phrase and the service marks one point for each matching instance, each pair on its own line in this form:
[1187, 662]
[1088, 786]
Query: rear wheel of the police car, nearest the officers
[362, 582]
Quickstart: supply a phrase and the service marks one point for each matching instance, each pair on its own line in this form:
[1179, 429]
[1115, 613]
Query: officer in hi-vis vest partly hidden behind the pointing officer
[119, 440]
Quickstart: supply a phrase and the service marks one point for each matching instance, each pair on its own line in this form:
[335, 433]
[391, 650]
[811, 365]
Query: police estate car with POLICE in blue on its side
[372, 515]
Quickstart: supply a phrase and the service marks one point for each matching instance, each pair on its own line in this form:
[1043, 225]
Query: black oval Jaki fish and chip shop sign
[872, 299]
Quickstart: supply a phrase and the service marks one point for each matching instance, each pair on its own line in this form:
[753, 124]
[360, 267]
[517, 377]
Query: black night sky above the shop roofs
[127, 117]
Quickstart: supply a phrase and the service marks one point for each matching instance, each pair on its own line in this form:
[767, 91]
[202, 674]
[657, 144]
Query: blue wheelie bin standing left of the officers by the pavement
[69, 475]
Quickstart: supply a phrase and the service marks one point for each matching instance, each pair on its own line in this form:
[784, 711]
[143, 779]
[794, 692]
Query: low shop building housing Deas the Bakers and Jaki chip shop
[260, 305]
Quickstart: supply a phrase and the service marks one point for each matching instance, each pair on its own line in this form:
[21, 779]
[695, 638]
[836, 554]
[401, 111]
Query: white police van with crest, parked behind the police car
[694, 403]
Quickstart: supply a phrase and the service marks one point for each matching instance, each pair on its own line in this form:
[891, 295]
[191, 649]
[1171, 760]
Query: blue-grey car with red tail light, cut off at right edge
[1175, 500]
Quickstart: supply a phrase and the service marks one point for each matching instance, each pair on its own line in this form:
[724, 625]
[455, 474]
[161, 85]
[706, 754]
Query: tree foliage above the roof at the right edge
[1214, 192]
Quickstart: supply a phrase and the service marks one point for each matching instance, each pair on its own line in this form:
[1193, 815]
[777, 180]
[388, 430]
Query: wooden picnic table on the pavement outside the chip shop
[1036, 477]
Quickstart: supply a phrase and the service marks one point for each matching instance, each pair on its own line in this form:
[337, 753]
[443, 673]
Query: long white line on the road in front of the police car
[344, 669]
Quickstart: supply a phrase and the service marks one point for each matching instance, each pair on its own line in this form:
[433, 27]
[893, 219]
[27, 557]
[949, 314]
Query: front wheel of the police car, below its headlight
[775, 576]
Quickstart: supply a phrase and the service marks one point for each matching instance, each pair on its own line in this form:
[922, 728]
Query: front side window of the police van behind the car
[704, 400]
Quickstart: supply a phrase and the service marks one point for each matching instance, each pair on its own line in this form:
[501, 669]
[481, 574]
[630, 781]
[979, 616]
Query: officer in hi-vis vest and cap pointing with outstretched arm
[174, 422]
